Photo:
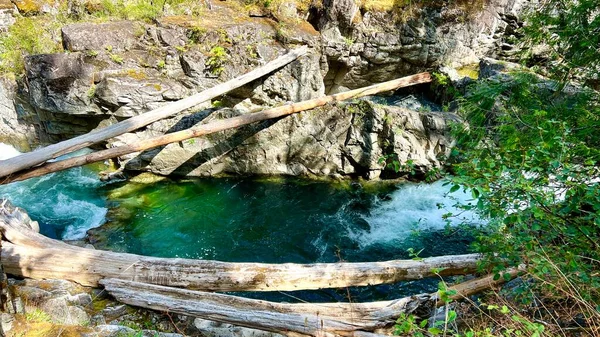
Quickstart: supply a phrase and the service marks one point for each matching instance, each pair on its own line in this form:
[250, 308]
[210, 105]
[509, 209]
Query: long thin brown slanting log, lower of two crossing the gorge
[216, 126]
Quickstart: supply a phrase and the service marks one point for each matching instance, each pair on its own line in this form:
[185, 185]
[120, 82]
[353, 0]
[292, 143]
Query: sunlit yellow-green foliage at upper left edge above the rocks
[28, 36]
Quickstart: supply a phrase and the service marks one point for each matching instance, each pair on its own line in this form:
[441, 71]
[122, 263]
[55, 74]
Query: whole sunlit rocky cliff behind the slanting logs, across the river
[113, 70]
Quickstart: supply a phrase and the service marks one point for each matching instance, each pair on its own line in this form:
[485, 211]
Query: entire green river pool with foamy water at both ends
[272, 220]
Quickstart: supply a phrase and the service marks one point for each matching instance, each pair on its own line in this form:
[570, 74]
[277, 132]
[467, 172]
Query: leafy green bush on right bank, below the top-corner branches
[531, 157]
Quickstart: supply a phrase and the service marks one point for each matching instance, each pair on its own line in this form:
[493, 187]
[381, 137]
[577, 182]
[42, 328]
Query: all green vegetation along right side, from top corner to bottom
[531, 157]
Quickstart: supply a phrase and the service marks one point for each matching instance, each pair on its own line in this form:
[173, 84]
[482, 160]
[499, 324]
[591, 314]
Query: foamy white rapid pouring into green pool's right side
[413, 207]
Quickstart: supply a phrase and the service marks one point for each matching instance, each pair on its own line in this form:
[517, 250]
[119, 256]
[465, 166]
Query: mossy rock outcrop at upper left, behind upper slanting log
[121, 69]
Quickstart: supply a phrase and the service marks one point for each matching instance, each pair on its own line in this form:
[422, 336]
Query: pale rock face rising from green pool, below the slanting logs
[348, 140]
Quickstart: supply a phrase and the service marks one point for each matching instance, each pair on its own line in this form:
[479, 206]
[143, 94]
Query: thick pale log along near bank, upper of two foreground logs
[29, 254]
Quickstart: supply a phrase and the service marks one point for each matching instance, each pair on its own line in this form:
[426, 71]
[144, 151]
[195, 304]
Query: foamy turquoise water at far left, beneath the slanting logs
[65, 203]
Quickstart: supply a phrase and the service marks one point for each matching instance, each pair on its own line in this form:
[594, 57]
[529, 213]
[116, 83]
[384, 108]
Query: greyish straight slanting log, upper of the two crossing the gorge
[41, 155]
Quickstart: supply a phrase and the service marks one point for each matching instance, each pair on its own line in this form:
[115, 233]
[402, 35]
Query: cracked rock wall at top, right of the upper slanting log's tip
[364, 47]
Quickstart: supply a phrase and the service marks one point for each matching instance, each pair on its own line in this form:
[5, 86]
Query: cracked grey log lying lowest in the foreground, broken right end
[312, 319]
